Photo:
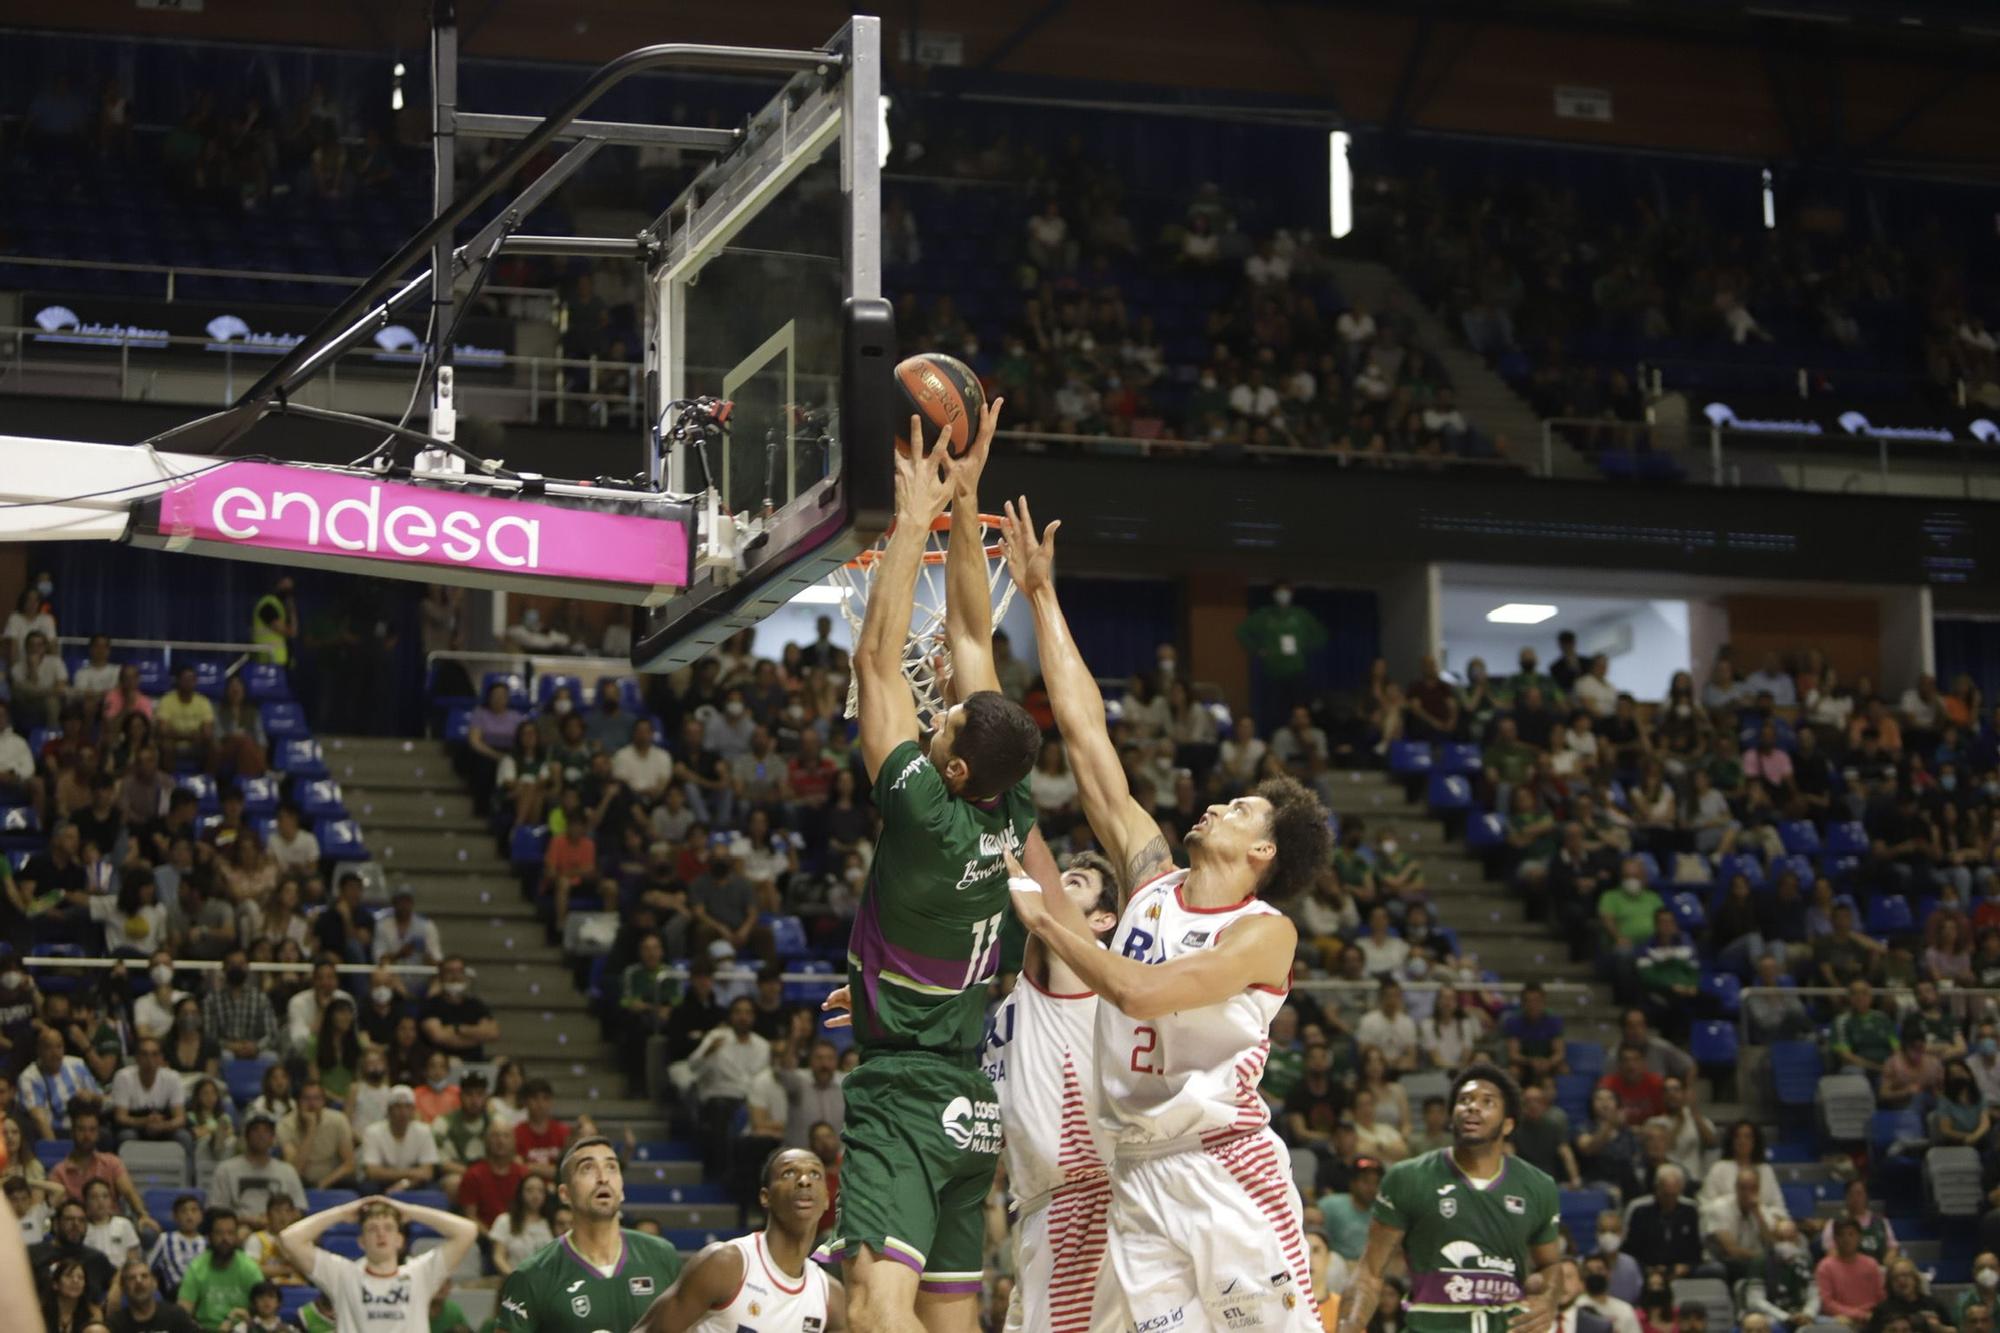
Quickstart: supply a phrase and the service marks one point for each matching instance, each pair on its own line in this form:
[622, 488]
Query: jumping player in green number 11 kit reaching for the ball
[923, 1126]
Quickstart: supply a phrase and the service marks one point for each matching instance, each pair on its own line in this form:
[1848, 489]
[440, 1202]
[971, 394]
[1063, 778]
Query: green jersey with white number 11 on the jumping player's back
[927, 936]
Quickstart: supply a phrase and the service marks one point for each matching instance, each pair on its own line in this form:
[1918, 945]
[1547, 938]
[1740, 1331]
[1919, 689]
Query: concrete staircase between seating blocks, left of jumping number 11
[425, 834]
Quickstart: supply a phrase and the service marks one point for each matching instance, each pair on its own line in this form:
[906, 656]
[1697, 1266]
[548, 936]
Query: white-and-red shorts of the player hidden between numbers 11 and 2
[1059, 1266]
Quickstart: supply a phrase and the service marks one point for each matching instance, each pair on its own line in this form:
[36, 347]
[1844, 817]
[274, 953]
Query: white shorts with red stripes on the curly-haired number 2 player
[1211, 1238]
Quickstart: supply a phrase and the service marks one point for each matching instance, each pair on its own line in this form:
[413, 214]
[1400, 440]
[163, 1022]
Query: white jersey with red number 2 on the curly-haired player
[1193, 1076]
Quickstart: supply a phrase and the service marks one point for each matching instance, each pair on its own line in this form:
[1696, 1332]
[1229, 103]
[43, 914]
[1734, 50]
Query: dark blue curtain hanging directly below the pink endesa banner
[361, 668]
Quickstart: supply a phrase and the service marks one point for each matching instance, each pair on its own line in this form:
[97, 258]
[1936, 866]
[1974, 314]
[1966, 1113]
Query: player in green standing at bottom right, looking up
[1475, 1224]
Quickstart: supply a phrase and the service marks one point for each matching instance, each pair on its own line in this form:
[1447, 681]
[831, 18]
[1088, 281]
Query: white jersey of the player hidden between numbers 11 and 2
[1041, 1056]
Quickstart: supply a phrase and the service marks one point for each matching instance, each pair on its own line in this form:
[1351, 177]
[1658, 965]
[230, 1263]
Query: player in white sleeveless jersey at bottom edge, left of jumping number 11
[763, 1282]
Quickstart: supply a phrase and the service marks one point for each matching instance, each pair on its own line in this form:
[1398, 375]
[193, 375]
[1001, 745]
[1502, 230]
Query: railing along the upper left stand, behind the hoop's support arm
[581, 391]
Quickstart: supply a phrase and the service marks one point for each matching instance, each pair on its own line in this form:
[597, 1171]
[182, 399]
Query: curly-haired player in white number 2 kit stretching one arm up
[1207, 1230]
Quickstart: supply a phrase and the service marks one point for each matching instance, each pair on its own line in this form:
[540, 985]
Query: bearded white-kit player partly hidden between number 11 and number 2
[1041, 1054]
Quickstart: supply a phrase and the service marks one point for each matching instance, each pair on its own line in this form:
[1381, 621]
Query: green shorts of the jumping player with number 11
[923, 1142]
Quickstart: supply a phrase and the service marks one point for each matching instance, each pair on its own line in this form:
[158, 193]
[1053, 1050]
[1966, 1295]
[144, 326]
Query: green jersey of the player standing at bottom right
[1469, 1248]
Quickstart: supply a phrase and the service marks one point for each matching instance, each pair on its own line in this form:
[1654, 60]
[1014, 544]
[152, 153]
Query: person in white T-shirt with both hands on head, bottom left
[379, 1294]
